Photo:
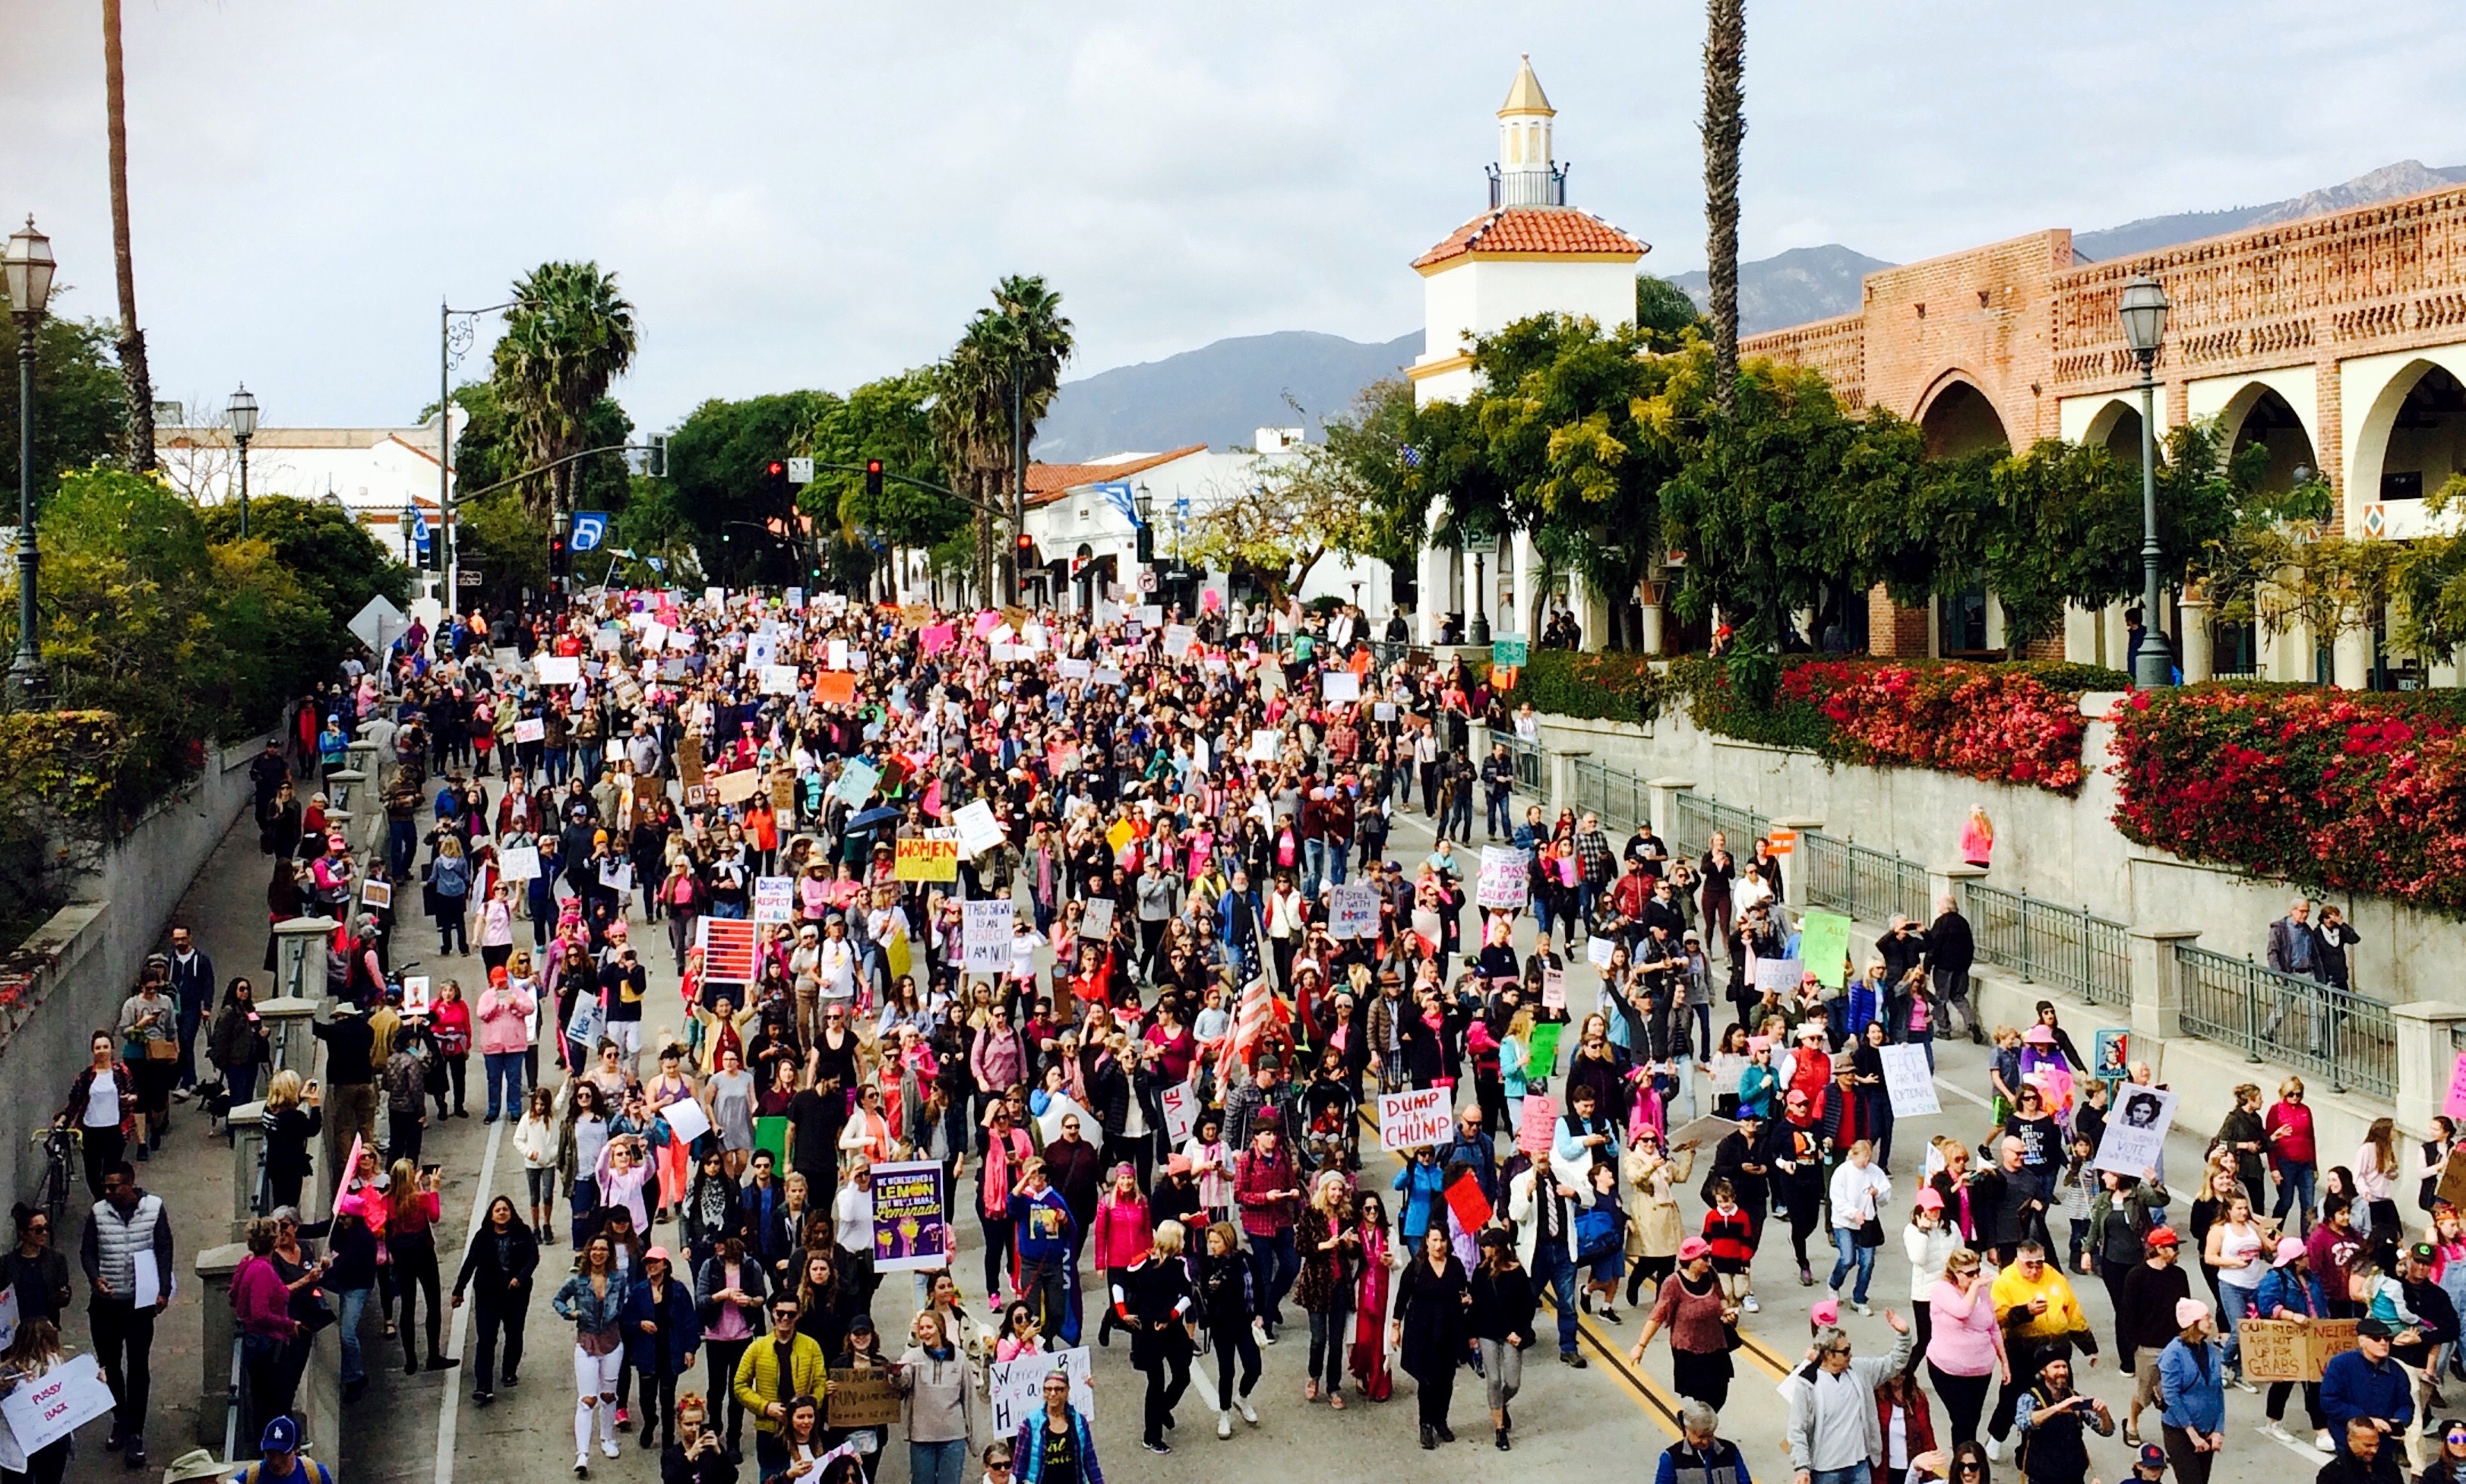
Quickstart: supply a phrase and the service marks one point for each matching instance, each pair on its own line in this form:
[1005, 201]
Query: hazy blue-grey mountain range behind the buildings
[1227, 391]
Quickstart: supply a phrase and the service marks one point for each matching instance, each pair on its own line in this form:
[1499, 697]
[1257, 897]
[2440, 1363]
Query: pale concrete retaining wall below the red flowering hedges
[2046, 844]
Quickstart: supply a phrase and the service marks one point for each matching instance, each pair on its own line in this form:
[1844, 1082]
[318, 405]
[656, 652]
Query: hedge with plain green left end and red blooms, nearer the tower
[2016, 724]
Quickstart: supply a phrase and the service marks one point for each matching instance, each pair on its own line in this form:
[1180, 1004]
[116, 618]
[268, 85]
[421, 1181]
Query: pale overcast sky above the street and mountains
[810, 194]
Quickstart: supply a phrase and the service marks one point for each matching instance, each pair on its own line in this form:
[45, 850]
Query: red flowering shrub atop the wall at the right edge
[2337, 790]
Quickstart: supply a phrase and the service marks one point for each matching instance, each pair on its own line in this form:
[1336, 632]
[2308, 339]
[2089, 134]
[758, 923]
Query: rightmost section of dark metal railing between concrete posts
[2300, 1024]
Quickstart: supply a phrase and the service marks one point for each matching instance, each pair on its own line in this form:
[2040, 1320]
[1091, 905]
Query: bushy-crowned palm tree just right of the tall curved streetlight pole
[568, 336]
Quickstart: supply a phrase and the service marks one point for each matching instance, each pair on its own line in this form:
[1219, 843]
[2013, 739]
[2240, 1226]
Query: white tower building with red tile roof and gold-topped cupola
[1528, 255]
